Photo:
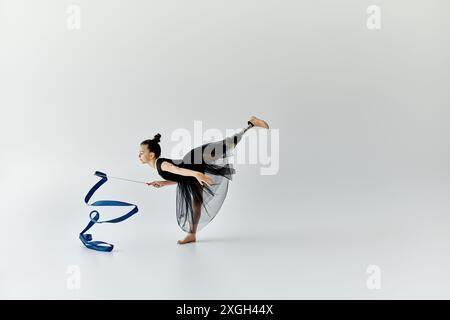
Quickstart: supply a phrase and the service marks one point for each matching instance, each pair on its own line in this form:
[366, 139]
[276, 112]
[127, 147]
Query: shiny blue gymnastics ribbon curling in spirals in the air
[86, 239]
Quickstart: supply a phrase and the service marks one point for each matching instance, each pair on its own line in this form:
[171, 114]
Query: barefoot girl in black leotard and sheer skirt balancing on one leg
[201, 176]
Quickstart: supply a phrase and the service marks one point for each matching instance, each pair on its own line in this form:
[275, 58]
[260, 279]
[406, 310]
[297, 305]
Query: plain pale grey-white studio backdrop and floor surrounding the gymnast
[363, 126]
